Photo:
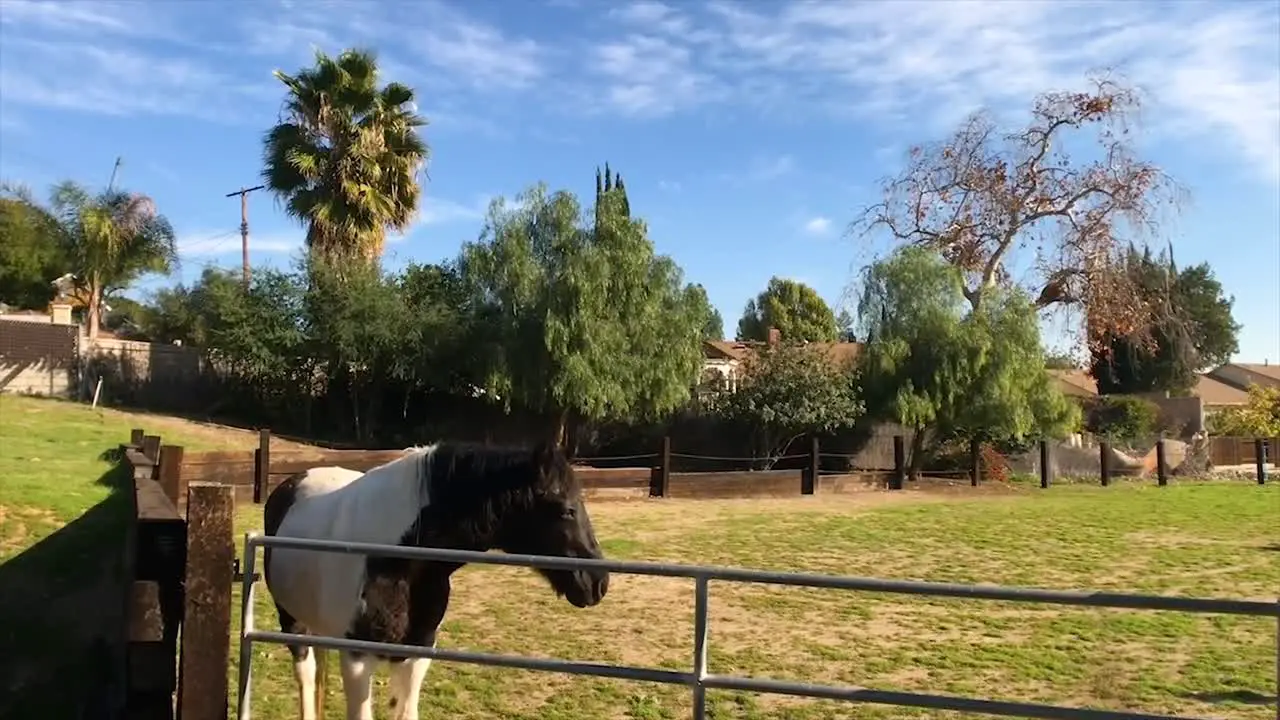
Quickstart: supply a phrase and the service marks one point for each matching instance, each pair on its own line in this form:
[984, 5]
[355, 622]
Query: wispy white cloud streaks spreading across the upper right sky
[1212, 70]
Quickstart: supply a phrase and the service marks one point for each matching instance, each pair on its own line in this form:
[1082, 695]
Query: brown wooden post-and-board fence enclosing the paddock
[181, 557]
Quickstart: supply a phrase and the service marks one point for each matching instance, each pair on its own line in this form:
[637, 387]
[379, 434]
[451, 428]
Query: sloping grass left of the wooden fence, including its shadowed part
[62, 526]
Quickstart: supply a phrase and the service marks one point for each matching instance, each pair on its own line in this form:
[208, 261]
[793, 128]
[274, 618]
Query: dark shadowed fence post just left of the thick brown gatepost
[149, 664]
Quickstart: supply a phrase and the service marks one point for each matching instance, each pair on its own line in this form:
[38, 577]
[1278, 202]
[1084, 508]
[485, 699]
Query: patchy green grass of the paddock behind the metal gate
[1201, 540]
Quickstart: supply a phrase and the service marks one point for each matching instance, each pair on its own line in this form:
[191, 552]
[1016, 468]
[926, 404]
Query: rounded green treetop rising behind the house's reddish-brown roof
[796, 309]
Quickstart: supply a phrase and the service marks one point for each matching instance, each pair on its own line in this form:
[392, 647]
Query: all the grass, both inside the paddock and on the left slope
[61, 521]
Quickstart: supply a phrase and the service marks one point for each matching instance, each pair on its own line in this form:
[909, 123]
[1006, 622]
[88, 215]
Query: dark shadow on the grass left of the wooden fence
[62, 607]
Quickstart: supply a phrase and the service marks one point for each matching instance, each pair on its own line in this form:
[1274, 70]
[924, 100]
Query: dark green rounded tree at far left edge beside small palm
[31, 252]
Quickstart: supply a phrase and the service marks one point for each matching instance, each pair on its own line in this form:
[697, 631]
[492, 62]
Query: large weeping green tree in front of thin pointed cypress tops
[580, 321]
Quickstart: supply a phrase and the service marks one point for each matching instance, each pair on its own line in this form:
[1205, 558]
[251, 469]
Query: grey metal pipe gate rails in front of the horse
[700, 681]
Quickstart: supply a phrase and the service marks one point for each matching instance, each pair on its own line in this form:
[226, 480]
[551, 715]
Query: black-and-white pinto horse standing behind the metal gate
[449, 495]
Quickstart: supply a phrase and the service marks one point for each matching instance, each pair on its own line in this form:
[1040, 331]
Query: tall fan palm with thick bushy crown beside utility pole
[346, 157]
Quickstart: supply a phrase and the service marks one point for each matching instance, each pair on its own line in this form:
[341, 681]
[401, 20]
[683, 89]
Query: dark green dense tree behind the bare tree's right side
[1191, 331]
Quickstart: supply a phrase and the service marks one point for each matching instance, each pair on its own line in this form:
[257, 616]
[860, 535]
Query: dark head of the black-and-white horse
[555, 522]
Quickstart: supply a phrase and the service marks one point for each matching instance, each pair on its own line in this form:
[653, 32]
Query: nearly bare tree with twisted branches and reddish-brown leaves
[982, 195]
